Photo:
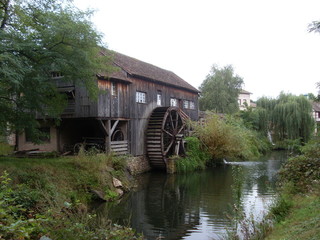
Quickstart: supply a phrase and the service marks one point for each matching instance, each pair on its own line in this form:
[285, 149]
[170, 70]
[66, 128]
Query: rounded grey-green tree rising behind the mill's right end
[220, 90]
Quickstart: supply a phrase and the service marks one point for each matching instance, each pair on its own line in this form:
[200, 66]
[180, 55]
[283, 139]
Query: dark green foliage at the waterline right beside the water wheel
[196, 157]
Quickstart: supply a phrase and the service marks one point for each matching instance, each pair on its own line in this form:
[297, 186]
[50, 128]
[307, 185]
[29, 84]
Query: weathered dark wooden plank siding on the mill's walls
[123, 105]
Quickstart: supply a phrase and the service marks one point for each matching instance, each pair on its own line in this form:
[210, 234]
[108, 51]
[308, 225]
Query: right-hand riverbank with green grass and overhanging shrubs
[296, 213]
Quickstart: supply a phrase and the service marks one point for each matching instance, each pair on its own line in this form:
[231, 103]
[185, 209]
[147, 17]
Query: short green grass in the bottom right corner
[303, 222]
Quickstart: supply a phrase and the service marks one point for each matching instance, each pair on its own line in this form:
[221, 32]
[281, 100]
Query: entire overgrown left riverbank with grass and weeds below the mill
[50, 196]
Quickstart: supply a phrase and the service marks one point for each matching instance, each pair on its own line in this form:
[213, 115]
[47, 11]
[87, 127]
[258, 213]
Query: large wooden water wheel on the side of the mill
[165, 133]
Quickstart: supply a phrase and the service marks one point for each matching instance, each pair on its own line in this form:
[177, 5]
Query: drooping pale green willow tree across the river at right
[287, 117]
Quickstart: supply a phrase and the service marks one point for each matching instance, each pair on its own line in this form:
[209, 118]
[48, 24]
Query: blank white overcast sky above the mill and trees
[266, 41]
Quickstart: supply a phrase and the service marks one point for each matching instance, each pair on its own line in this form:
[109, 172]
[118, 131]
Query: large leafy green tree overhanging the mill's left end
[39, 38]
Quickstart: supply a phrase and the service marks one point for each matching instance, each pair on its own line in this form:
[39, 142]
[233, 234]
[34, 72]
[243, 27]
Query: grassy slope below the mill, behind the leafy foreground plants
[70, 177]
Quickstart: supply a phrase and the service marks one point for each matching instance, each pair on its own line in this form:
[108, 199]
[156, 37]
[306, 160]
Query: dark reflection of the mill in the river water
[169, 220]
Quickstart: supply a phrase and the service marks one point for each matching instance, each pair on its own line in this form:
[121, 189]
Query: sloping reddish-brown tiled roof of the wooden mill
[139, 69]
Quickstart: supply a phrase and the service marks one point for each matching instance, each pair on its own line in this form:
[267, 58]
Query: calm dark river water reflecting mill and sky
[197, 205]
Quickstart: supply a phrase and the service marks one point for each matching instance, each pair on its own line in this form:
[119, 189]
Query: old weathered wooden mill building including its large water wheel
[140, 111]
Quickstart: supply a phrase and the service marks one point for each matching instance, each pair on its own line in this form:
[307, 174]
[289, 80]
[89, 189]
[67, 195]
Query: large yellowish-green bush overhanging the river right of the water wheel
[227, 137]
